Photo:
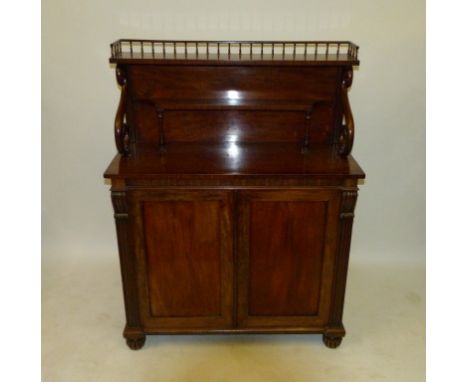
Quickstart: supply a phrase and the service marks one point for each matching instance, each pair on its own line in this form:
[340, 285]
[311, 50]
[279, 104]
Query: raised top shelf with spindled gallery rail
[234, 52]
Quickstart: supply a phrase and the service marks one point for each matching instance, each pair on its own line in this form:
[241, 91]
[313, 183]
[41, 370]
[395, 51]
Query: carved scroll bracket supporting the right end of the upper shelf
[346, 136]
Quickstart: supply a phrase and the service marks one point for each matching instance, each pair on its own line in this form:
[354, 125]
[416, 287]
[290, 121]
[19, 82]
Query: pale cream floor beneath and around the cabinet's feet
[83, 317]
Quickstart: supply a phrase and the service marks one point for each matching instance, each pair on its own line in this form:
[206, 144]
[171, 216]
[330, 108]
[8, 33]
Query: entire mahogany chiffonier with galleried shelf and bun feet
[233, 187]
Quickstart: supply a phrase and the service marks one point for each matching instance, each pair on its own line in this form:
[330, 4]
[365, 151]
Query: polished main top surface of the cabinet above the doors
[231, 159]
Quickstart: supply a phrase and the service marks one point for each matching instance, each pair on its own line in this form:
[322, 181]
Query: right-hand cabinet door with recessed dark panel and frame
[286, 246]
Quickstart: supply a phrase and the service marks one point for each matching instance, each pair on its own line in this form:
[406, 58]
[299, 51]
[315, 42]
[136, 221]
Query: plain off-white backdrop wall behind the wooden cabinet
[80, 95]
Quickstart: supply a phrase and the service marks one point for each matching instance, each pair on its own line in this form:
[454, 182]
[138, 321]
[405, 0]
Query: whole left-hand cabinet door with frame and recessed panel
[183, 243]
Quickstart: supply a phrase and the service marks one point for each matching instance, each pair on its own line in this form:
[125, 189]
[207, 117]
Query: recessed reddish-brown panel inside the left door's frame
[192, 262]
